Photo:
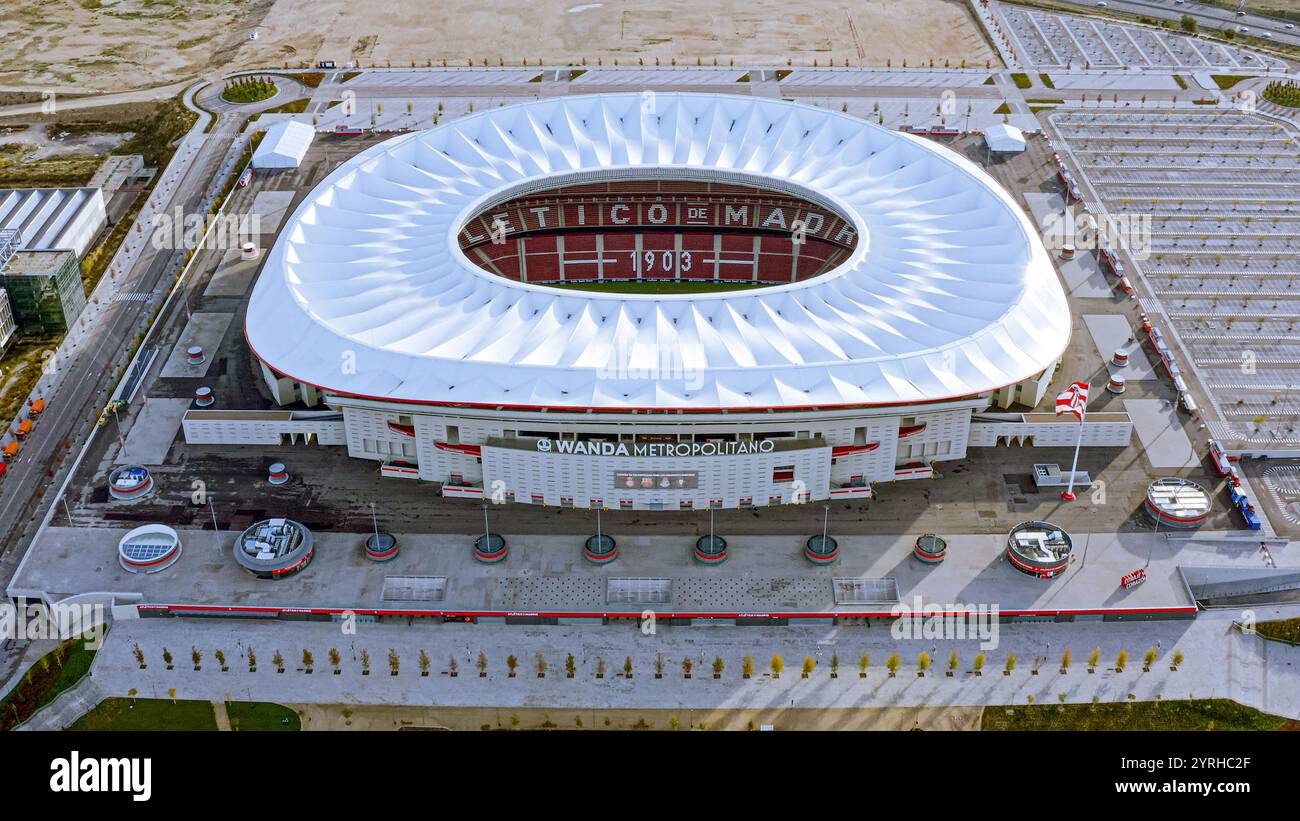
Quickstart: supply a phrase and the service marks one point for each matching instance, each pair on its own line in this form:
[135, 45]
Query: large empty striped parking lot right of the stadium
[1223, 192]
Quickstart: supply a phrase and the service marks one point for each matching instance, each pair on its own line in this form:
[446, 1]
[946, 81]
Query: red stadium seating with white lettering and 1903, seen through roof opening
[757, 234]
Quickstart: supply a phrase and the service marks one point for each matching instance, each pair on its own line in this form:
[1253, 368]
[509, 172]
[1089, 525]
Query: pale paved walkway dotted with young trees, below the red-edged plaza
[1219, 662]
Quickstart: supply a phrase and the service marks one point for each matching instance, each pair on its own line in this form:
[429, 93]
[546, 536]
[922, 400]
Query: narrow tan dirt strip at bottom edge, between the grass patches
[374, 718]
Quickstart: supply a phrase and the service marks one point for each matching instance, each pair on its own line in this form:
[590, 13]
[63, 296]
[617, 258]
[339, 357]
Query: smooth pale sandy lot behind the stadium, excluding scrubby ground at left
[560, 32]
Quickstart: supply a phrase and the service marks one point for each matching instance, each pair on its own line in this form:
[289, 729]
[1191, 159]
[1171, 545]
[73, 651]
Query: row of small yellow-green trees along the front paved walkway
[748, 667]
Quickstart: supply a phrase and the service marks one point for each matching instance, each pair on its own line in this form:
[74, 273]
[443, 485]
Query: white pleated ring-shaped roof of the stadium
[950, 292]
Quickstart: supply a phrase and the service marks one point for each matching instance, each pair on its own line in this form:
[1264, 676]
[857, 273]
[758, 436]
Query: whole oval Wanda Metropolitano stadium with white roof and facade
[661, 302]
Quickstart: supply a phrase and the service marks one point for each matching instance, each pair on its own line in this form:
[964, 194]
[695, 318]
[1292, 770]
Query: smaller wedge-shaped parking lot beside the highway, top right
[1043, 40]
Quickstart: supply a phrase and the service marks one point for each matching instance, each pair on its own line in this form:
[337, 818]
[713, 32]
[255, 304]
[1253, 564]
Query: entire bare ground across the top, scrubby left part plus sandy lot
[105, 46]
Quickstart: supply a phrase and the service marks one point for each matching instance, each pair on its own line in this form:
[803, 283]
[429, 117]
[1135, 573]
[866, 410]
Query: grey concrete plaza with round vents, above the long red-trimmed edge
[765, 575]
